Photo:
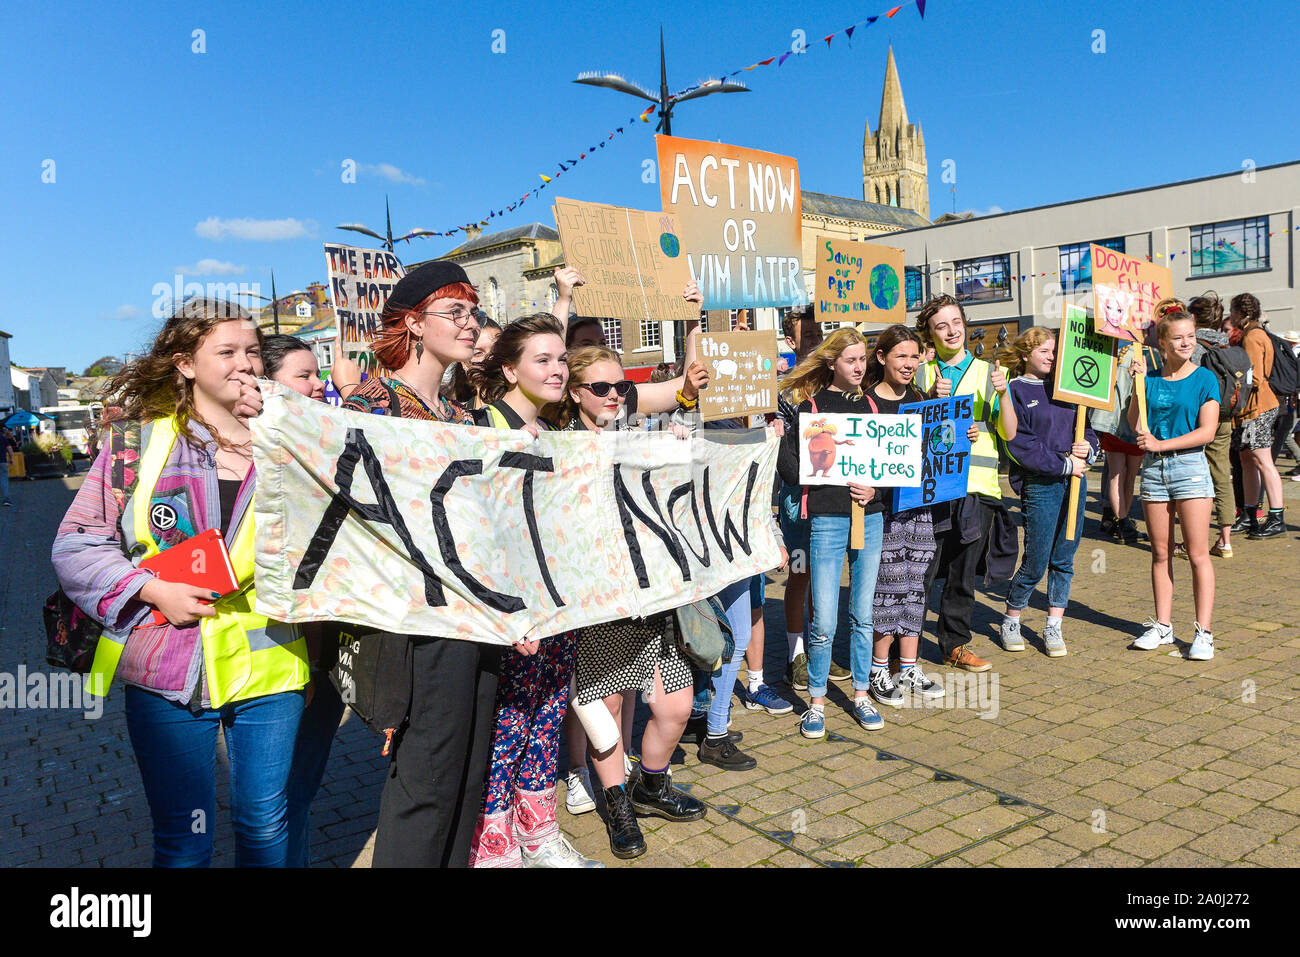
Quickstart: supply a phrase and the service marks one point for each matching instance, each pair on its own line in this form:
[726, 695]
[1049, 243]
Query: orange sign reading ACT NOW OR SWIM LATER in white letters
[742, 216]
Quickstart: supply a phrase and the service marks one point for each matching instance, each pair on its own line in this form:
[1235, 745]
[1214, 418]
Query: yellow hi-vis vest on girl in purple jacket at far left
[245, 656]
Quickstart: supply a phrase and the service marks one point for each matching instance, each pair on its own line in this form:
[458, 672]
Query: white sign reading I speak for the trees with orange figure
[842, 448]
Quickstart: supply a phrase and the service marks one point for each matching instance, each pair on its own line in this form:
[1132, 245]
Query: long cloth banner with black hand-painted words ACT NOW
[428, 529]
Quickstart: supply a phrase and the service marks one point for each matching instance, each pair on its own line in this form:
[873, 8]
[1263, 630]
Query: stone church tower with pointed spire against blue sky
[894, 161]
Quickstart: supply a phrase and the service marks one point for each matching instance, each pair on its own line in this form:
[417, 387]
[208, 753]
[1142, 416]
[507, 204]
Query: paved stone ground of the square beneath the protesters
[1106, 757]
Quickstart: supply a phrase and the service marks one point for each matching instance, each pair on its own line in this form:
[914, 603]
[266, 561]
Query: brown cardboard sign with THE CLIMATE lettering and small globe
[631, 262]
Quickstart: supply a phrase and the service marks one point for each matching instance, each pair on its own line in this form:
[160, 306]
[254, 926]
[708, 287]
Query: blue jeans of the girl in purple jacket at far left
[177, 754]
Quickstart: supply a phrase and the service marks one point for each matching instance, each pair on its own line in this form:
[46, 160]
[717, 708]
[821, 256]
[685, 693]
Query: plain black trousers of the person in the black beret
[436, 782]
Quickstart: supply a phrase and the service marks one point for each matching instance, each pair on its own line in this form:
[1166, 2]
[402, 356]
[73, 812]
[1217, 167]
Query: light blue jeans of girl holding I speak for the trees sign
[829, 545]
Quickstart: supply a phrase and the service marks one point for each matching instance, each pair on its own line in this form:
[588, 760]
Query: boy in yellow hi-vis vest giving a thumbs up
[955, 371]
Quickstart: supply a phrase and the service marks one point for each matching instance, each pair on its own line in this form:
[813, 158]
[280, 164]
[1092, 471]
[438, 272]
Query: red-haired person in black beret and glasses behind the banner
[441, 750]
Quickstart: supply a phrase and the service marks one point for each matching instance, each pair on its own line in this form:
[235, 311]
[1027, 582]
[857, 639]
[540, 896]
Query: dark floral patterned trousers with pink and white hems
[519, 795]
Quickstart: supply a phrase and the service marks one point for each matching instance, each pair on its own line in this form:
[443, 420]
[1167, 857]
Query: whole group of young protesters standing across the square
[475, 739]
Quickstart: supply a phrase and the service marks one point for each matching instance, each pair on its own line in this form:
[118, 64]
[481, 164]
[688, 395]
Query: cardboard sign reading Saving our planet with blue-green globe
[859, 283]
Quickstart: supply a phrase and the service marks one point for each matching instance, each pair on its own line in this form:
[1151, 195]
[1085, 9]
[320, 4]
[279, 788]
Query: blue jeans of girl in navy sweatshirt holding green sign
[1047, 549]
